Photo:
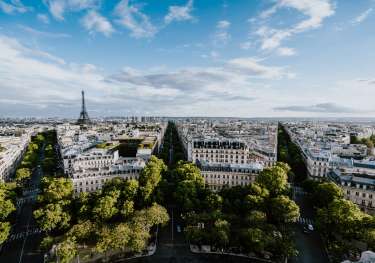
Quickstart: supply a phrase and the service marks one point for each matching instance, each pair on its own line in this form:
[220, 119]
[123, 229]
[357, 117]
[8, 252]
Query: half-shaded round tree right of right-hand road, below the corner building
[325, 193]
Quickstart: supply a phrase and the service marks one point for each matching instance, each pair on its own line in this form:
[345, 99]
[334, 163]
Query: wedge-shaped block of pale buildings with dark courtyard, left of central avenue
[101, 152]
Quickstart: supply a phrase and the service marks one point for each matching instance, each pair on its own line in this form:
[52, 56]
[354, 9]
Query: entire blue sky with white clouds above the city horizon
[247, 58]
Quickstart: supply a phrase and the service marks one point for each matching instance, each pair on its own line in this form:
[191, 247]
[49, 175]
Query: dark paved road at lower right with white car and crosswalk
[310, 246]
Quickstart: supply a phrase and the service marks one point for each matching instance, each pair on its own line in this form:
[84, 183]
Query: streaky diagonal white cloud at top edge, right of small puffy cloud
[133, 19]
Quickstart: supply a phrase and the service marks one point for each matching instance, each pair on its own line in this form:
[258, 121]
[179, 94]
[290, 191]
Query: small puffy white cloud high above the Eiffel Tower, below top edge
[94, 22]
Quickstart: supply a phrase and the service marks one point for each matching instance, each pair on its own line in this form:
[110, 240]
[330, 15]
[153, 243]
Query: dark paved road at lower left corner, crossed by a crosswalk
[23, 244]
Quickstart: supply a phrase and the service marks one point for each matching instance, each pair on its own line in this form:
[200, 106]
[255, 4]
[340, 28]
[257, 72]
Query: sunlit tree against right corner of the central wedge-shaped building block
[274, 179]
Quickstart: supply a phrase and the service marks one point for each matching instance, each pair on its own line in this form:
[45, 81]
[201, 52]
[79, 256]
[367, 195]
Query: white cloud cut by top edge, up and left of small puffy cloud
[58, 7]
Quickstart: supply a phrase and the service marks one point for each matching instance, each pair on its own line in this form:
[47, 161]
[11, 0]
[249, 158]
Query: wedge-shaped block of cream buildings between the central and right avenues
[229, 153]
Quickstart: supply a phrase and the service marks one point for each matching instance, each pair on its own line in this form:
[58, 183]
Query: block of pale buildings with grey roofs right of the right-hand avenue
[328, 154]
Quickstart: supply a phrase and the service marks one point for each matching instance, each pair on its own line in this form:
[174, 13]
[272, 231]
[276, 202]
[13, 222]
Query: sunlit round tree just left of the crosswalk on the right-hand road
[284, 210]
